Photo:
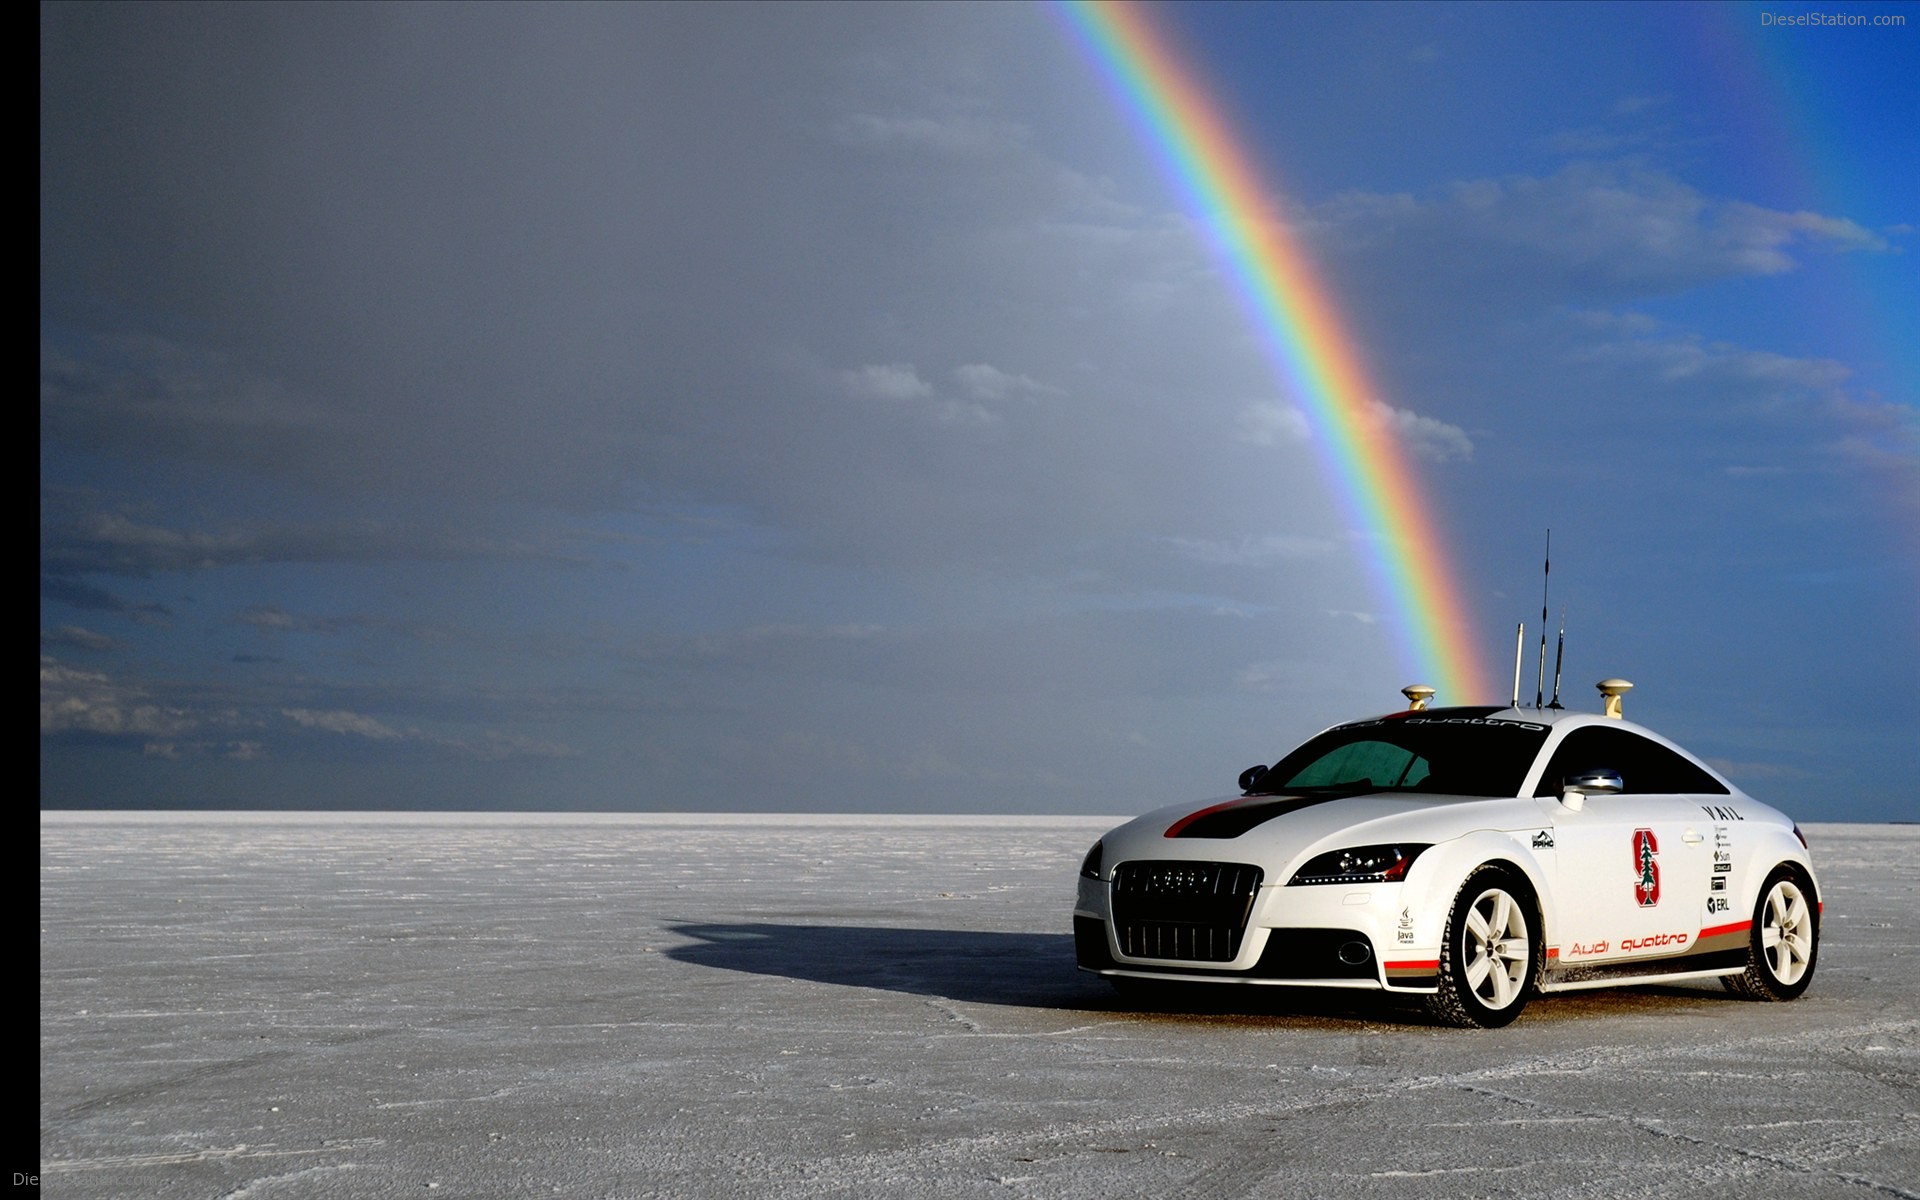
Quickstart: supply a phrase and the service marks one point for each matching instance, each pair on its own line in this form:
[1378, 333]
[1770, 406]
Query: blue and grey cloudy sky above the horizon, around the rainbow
[846, 408]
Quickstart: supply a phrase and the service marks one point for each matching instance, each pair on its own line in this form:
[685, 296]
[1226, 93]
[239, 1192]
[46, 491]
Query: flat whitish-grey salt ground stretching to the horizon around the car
[477, 1005]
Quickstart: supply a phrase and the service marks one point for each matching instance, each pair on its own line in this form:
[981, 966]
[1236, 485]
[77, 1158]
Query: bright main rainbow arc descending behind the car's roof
[1310, 347]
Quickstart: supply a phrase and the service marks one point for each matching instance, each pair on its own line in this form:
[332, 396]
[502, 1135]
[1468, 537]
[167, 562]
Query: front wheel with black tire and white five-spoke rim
[1489, 963]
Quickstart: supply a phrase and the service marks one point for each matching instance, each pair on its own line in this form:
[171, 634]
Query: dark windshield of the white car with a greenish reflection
[1429, 754]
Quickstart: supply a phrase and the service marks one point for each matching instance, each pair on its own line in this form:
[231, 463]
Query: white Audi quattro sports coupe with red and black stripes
[1464, 855]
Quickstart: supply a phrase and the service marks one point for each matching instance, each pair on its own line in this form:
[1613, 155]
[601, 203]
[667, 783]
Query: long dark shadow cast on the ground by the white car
[1028, 971]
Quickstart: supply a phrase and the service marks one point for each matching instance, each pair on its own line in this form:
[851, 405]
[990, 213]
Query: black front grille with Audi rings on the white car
[1184, 911]
